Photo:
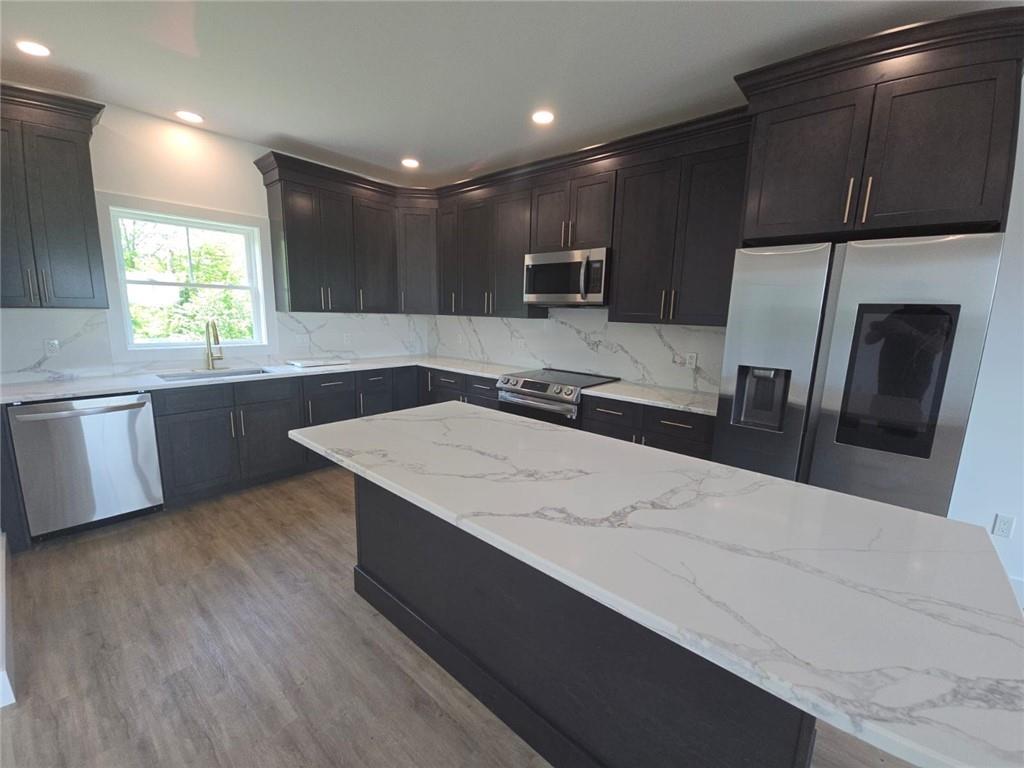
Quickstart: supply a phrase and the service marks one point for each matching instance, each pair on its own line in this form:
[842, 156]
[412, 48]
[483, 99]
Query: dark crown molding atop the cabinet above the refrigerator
[984, 27]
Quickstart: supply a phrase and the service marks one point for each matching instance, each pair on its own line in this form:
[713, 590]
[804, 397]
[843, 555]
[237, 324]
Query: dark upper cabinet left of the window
[51, 252]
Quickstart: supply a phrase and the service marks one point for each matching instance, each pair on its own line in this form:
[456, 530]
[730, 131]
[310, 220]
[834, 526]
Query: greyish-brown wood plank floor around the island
[228, 634]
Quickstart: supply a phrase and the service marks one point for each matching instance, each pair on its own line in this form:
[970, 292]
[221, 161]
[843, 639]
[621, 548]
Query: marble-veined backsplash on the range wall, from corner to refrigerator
[585, 340]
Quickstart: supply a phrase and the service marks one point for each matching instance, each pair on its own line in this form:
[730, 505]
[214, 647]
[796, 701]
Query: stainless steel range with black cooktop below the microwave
[548, 394]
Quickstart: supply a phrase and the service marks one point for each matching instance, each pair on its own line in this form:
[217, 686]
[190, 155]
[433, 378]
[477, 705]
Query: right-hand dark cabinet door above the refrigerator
[941, 149]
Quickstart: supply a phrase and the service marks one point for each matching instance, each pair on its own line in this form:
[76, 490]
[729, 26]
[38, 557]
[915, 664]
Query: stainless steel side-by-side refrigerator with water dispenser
[854, 366]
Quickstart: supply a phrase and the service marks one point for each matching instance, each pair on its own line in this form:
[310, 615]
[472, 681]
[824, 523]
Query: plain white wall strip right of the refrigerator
[991, 479]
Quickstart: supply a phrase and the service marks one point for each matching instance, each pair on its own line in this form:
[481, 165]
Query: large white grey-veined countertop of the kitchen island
[892, 625]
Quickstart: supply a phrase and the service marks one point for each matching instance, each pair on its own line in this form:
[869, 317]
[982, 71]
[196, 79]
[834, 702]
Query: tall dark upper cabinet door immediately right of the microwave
[646, 228]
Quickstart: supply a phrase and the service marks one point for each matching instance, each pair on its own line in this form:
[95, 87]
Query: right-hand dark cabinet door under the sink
[265, 446]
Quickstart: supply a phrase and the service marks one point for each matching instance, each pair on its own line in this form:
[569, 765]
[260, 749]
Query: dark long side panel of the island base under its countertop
[582, 685]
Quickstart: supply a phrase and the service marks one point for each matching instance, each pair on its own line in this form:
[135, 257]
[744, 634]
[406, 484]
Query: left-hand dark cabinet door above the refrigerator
[806, 163]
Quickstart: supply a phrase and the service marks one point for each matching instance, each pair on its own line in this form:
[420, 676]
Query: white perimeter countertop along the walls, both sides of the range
[682, 400]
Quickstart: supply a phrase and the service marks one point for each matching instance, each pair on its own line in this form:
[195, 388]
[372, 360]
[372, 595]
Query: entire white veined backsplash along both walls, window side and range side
[576, 339]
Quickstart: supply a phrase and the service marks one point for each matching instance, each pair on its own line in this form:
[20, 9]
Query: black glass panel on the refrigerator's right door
[895, 377]
